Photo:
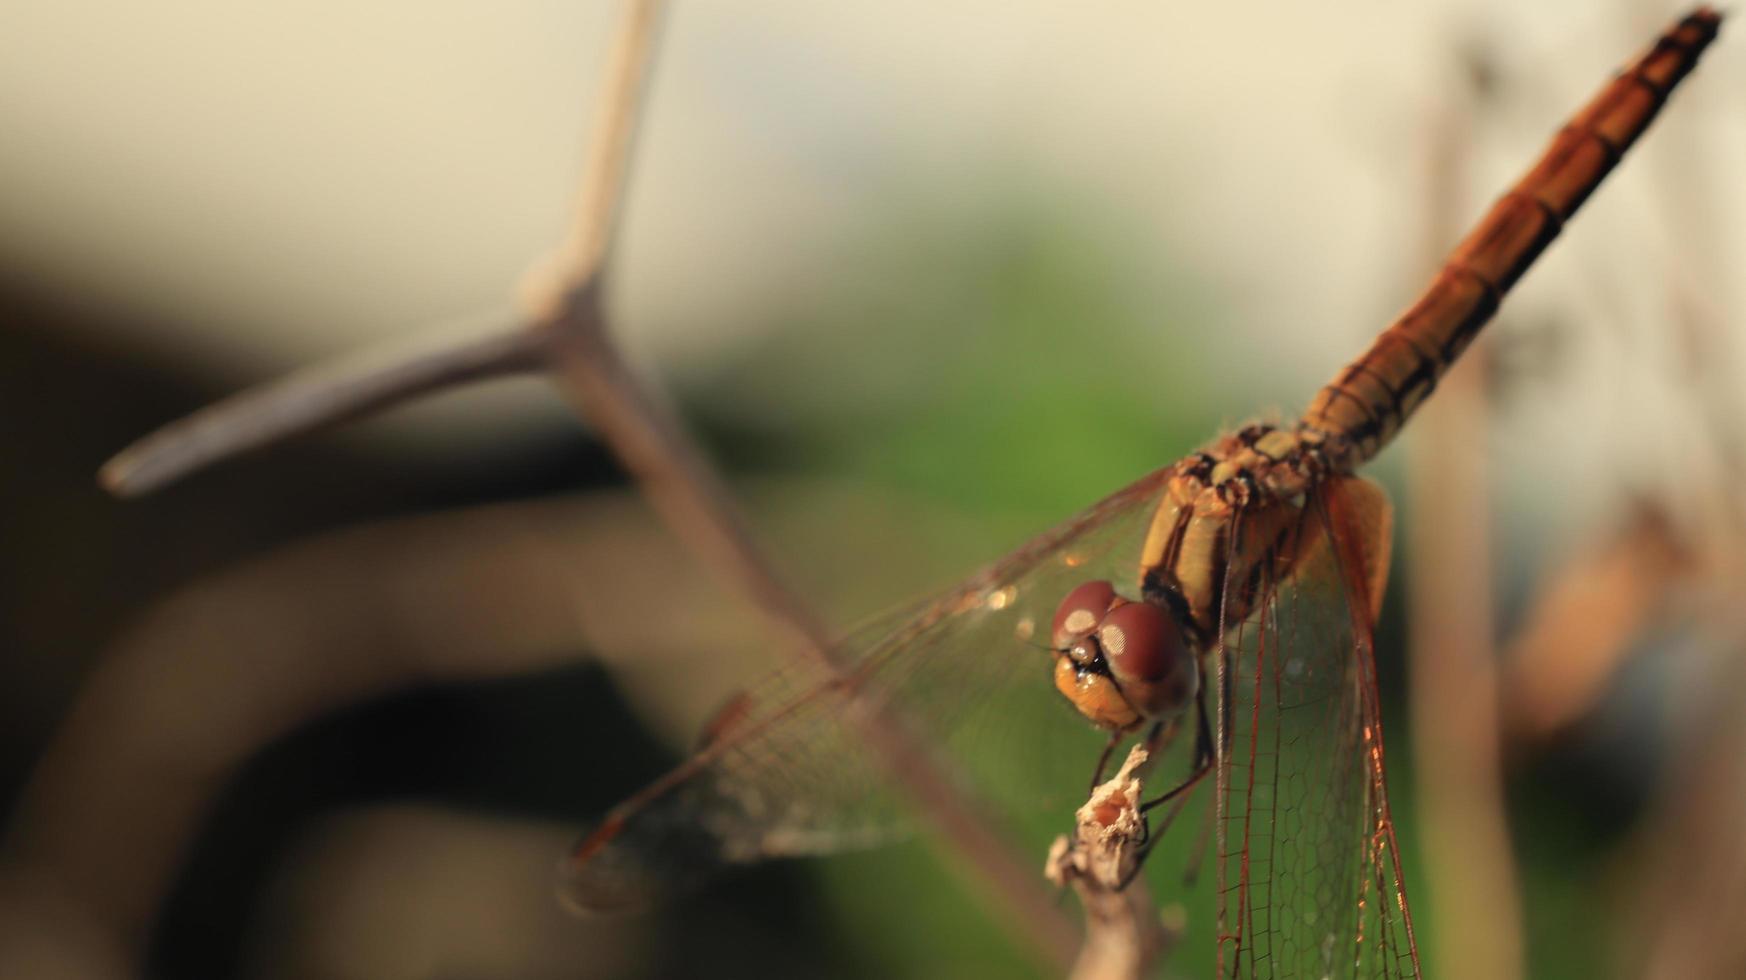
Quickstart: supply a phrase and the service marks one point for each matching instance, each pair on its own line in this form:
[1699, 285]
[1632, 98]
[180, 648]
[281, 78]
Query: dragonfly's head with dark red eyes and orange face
[1122, 663]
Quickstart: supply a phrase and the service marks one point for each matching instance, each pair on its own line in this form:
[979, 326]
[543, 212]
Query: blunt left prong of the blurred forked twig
[310, 401]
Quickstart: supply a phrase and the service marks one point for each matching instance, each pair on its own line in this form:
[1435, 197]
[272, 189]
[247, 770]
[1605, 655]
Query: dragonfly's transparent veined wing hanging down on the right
[1309, 867]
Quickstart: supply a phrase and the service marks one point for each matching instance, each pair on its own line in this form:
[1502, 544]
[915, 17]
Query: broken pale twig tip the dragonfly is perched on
[1124, 932]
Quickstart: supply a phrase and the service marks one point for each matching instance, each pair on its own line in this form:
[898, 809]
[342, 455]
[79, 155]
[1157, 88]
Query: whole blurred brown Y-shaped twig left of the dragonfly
[567, 333]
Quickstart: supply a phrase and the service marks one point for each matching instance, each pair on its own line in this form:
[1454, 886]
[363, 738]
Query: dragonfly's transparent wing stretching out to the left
[785, 770]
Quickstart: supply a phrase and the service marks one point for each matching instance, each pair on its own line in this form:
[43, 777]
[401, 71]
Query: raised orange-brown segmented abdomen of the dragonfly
[1371, 399]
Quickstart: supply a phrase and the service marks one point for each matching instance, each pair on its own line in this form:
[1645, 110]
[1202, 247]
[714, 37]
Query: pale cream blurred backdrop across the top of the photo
[275, 184]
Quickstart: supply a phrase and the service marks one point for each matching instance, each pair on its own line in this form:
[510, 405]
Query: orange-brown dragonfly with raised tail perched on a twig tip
[1228, 598]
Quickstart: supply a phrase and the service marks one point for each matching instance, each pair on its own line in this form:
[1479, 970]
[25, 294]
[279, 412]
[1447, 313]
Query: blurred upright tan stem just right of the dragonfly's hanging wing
[1454, 687]
